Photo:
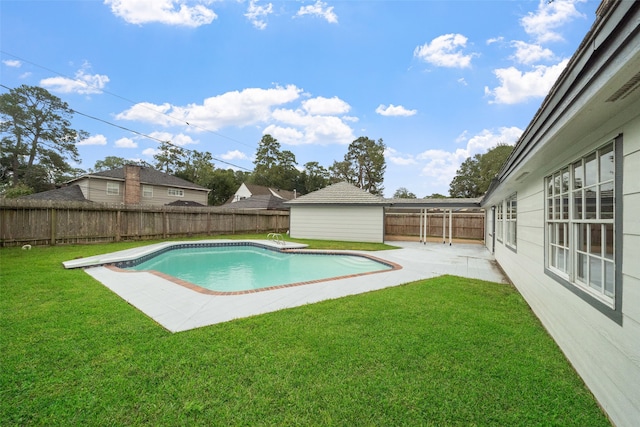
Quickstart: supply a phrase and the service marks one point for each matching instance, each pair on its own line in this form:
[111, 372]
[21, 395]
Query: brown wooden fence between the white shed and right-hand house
[464, 225]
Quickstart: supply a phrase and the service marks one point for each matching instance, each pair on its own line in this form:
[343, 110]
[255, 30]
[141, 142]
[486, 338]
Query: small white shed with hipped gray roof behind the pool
[338, 212]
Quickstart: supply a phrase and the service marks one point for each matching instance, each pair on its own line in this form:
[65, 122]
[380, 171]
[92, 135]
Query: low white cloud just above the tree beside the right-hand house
[441, 165]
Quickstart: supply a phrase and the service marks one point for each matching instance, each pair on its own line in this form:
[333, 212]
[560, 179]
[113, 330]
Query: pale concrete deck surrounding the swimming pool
[178, 308]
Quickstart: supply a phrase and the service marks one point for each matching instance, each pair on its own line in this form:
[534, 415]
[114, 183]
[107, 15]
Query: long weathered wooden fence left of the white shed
[38, 222]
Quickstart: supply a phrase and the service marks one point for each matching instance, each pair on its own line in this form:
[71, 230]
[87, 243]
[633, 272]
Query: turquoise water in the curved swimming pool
[241, 268]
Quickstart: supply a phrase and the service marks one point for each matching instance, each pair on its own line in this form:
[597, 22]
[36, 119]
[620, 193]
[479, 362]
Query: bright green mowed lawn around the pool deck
[445, 351]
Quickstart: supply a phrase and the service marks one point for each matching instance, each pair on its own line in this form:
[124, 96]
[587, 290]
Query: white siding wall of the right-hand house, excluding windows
[604, 351]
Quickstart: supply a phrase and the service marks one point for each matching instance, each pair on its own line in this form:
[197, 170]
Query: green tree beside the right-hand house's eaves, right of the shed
[475, 173]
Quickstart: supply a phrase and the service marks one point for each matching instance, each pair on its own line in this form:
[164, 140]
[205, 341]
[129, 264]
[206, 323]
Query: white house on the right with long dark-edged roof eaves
[562, 214]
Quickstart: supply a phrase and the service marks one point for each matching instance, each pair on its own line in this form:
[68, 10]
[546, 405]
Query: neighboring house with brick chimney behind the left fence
[130, 185]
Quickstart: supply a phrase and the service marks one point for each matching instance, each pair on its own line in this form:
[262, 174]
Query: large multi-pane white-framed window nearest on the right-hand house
[580, 225]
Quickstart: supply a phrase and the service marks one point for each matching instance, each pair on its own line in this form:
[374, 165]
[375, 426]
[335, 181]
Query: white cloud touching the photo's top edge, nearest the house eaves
[550, 15]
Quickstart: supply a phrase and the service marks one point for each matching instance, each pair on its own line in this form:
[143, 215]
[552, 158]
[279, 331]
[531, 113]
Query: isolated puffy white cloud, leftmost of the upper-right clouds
[445, 51]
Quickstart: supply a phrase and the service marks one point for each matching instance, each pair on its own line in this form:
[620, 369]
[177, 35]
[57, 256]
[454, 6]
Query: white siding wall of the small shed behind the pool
[346, 223]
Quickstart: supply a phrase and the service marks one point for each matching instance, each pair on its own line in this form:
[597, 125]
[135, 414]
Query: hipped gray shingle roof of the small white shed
[341, 193]
